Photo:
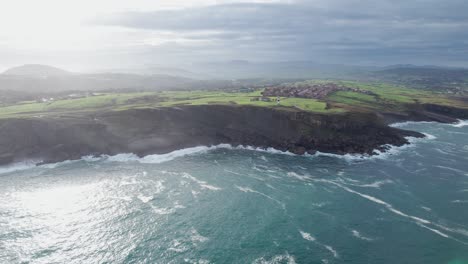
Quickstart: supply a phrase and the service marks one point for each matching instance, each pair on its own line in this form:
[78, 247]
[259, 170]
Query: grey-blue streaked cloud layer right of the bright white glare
[349, 31]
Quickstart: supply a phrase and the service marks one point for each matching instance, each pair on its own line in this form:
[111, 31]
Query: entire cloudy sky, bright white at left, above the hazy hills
[88, 35]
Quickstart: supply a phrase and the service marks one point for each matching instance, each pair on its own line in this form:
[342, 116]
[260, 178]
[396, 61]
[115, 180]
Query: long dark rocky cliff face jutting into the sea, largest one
[150, 131]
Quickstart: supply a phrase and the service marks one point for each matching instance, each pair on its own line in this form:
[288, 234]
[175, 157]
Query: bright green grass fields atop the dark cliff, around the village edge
[383, 97]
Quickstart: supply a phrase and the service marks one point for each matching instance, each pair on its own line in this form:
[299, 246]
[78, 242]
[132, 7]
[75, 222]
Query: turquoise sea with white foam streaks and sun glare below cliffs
[225, 205]
